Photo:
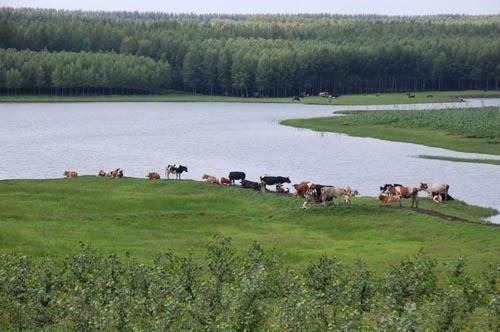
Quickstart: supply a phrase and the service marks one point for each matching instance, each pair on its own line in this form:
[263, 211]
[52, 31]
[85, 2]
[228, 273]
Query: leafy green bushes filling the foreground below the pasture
[254, 292]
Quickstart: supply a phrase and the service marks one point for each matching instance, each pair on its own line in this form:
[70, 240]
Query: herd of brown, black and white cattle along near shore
[311, 192]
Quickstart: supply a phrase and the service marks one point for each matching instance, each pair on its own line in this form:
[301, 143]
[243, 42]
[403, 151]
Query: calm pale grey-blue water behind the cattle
[42, 140]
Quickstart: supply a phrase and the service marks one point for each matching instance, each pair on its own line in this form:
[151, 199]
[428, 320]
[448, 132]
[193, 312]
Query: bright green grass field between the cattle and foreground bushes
[49, 217]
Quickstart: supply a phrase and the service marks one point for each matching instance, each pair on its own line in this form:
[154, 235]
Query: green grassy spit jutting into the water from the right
[466, 130]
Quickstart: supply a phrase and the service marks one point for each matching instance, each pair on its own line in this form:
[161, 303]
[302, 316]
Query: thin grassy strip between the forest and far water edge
[362, 99]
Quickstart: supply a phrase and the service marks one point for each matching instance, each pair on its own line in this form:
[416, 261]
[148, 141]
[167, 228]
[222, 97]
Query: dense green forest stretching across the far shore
[46, 51]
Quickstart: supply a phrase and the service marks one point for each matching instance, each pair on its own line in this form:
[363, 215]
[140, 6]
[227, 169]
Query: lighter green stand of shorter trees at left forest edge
[66, 73]
